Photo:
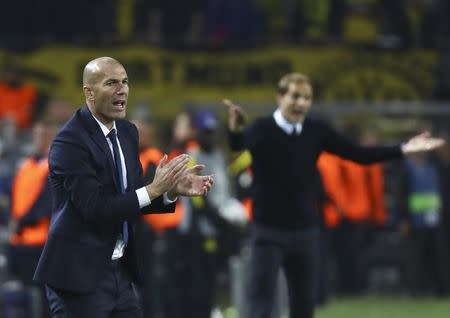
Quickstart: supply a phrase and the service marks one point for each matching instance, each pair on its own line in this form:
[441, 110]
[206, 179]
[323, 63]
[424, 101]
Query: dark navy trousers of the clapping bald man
[115, 297]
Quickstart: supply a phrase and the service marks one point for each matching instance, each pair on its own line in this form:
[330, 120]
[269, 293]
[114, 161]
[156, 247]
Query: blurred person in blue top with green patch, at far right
[428, 270]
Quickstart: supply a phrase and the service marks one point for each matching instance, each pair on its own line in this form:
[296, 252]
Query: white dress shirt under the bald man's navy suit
[142, 194]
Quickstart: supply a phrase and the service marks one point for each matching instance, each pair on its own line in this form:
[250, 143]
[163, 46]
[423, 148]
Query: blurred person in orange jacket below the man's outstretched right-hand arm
[355, 207]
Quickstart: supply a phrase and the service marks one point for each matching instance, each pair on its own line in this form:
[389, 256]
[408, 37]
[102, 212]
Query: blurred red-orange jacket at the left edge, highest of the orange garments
[18, 103]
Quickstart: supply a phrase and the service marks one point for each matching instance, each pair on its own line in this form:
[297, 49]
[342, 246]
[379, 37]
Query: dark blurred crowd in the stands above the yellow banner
[226, 24]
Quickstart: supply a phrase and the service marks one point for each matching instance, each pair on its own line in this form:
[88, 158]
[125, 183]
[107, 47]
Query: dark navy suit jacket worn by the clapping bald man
[88, 208]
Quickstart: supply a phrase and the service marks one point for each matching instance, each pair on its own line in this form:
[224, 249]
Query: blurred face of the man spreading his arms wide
[296, 102]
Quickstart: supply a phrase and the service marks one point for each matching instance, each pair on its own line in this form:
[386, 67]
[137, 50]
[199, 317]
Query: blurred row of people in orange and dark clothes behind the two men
[385, 227]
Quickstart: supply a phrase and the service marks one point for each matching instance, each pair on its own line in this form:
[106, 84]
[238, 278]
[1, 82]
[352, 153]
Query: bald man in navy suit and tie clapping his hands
[91, 257]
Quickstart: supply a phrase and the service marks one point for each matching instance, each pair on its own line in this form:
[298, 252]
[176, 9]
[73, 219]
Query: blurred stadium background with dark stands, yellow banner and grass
[383, 64]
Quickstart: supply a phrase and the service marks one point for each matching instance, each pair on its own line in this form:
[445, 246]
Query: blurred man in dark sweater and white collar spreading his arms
[285, 233]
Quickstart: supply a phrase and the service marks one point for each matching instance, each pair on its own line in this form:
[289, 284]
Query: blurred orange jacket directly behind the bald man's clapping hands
[159, 222]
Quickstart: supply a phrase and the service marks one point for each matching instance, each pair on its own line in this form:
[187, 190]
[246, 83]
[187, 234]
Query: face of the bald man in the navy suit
[108, 93]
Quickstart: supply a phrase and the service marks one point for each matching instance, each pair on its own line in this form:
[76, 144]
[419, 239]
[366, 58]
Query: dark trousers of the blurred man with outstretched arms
[297, 253]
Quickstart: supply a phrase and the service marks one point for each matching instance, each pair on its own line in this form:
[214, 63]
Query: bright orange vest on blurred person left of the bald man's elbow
[28, 185]
